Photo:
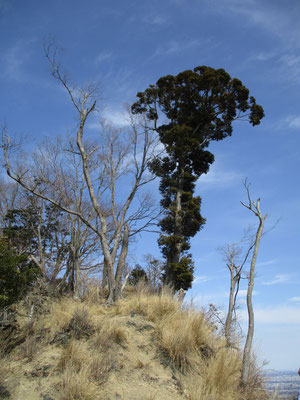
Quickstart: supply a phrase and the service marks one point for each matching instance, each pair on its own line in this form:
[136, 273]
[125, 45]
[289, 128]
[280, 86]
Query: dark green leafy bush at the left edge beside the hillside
[16, 274]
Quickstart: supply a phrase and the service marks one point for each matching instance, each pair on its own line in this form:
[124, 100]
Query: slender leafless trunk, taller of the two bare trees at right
[254, 207]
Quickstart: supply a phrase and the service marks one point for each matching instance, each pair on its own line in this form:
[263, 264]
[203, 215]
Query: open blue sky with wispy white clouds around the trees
[126, 45]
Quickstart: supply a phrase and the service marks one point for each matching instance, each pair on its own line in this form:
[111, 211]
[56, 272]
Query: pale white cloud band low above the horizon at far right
[274, 315]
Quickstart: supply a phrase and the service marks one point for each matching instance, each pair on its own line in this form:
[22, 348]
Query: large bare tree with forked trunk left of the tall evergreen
[119, 162]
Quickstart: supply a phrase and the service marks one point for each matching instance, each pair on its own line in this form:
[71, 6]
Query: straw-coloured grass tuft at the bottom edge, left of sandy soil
[77, 385]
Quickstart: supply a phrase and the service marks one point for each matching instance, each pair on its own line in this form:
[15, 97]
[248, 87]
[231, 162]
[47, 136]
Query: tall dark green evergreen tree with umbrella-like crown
[200, 106]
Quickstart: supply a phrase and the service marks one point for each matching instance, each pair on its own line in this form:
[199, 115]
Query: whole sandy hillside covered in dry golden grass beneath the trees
[144, 347]
